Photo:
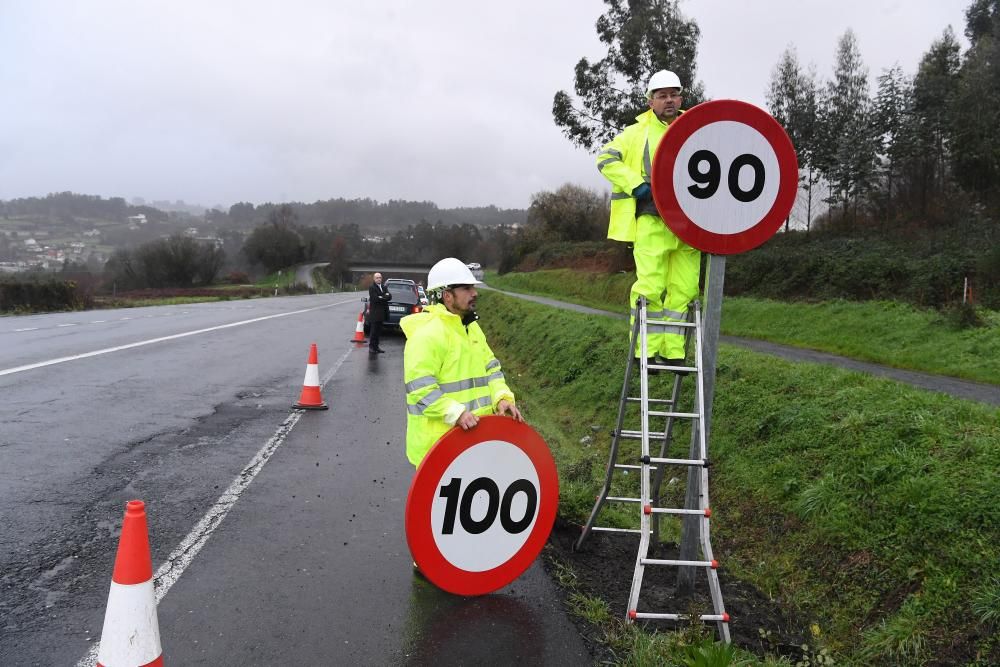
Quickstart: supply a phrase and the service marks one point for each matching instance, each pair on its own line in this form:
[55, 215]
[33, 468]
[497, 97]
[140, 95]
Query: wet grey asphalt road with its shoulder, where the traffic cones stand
[310, 564]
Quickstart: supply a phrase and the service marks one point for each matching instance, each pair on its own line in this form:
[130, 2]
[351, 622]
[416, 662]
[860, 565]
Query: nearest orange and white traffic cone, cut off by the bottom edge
[131, 634]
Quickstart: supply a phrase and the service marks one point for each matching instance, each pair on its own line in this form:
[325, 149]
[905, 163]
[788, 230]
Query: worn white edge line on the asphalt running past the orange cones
[171, 570]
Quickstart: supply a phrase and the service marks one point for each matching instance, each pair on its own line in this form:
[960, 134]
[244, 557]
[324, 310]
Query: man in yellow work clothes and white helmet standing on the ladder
[666, 268]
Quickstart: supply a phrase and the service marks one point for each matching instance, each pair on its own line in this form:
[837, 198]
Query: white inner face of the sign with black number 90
[726, 177]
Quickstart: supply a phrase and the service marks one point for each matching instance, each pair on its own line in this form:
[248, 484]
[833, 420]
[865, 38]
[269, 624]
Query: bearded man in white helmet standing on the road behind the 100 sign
[452, 377]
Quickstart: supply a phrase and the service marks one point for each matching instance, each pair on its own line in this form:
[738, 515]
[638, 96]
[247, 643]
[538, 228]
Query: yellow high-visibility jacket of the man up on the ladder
[626, 161]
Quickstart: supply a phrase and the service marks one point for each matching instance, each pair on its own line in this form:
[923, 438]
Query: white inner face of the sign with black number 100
[489, 493]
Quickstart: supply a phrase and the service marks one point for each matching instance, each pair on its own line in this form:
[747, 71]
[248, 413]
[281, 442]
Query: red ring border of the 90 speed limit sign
[681, 129]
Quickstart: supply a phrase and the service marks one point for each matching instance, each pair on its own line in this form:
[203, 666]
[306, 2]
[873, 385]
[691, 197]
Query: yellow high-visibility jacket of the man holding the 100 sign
[447, 368]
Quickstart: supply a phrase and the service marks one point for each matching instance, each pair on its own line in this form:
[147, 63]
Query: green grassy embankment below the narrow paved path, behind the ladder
[869, 509]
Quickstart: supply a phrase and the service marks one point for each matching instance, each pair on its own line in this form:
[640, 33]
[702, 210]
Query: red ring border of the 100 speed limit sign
[423, 490]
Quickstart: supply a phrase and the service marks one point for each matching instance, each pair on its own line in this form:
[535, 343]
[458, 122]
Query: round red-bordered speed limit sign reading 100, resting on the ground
[481, 506]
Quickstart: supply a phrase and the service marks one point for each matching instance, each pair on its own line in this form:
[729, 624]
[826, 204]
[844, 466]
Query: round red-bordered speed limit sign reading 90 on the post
[725, 177]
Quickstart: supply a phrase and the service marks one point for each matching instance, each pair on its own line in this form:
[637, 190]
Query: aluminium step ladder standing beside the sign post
[649, 491]
